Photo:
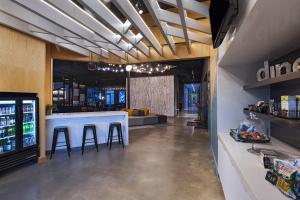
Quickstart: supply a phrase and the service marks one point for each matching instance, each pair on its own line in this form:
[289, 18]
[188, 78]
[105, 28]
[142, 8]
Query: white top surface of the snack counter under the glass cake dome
[251, 171]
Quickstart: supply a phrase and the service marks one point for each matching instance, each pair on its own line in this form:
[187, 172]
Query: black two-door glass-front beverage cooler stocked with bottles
[19, 129]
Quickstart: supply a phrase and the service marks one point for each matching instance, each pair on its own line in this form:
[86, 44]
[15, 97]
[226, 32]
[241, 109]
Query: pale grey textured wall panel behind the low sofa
[155, 93]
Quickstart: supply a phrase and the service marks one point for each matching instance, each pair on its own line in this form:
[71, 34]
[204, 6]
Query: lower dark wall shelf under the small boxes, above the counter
[278, 120]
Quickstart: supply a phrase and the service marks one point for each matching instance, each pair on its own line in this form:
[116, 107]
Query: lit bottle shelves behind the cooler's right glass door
[29, 123]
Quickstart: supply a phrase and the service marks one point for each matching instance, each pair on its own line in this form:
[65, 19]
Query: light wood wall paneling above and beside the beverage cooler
[22, 69]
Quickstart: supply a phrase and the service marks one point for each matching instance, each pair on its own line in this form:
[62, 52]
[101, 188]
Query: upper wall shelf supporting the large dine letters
[282, 78]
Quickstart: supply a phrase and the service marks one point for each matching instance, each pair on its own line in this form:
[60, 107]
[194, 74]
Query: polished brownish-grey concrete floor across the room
[167, 162]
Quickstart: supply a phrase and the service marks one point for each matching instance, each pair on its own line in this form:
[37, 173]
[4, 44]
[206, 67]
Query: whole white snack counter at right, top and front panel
[242, 174]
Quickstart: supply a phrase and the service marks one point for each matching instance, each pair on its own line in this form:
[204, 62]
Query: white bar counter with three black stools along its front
[76, 121]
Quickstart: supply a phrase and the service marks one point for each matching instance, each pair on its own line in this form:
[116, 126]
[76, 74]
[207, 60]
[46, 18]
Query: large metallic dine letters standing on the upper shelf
[277, 70]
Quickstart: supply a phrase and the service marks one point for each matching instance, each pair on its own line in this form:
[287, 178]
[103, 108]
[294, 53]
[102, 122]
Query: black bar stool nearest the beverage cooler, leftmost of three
[65, 131]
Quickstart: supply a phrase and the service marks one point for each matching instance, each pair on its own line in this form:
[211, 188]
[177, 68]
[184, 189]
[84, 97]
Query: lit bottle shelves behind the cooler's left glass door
[7, 126]
